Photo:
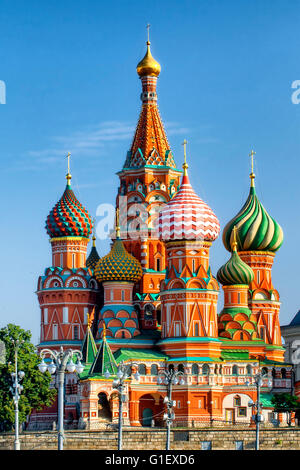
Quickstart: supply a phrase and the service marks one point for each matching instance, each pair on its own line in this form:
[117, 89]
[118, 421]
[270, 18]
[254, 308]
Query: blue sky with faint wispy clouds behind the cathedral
[225, 86]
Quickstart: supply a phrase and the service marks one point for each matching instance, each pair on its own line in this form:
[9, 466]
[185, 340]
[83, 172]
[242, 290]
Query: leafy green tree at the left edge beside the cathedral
[36, 392]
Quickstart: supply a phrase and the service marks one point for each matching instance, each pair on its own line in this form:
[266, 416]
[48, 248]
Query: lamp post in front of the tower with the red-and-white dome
[169, 378]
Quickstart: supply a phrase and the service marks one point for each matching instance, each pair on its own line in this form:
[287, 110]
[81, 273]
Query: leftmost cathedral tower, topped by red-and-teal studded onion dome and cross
[67, 292]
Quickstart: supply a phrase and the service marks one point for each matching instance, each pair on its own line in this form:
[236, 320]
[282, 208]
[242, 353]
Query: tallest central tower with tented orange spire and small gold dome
[148, 180]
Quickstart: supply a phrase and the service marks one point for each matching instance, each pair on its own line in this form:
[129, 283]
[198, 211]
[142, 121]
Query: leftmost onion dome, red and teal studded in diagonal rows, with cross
[68, 218]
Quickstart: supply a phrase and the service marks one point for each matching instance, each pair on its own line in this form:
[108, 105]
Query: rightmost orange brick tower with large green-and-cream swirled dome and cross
[259, 237]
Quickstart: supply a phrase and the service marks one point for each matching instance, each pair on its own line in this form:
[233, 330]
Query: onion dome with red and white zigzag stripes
[187, 217]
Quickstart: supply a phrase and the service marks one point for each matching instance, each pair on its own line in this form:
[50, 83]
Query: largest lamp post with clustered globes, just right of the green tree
[61, 362]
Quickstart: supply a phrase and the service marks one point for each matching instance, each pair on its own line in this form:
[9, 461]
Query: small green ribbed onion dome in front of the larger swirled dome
[235, 271]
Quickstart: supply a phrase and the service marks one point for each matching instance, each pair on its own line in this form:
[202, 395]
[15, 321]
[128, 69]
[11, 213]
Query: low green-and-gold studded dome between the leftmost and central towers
[118, 265]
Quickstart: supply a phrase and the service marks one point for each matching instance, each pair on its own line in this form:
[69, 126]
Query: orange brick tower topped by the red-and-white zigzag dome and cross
[190, 292]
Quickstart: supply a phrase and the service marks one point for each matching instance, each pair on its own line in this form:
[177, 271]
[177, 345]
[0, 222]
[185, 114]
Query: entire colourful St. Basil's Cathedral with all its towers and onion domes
[151, 302]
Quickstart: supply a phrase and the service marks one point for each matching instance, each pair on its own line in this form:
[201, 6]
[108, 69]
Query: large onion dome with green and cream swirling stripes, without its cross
[256, 229]
